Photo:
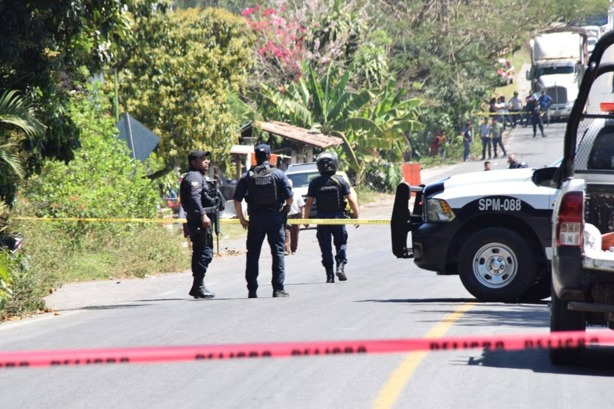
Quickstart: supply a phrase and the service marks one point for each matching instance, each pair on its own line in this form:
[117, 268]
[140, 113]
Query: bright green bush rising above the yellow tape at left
[101, 181]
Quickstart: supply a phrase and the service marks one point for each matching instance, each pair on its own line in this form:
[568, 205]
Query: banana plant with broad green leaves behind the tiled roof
[369, 120]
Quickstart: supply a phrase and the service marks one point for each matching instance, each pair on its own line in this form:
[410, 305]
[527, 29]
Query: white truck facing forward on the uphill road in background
[558, 61]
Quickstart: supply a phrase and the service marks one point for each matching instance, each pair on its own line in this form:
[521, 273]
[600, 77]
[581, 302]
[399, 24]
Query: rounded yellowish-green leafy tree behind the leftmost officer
[178, 81]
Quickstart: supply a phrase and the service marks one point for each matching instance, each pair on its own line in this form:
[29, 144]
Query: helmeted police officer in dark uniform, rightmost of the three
[331, 191]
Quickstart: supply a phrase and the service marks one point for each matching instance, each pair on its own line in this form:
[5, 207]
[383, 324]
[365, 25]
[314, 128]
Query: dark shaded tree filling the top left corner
[48, 49]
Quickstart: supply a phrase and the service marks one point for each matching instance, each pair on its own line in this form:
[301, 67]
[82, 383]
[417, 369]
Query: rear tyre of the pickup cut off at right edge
[562, 319]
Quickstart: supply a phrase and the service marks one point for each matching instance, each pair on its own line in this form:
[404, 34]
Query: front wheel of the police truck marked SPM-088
[496, 264]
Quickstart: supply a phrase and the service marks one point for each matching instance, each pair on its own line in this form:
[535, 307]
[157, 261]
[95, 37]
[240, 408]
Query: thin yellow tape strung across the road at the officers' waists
[222, 221]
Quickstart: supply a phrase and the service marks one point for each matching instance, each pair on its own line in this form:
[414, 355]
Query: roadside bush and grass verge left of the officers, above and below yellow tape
[101, 182]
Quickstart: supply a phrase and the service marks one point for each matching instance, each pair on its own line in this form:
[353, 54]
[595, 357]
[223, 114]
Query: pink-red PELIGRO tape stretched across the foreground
[79, 357]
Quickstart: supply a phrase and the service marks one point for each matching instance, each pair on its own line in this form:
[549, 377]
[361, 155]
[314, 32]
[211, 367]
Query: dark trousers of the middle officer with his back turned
[269, 223]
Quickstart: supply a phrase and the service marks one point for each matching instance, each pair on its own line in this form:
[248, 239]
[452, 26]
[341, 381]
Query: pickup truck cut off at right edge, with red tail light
[582, 265]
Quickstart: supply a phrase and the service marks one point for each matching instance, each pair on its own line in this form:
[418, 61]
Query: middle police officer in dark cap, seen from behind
[269, 197]
